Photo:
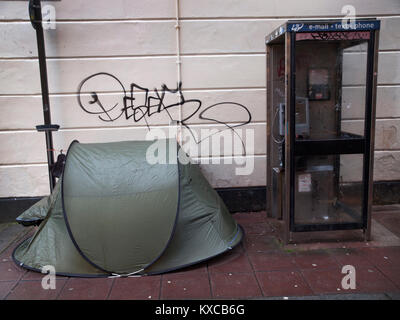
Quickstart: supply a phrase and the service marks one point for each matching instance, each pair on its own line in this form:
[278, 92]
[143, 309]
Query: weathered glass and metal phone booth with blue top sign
[321, 97]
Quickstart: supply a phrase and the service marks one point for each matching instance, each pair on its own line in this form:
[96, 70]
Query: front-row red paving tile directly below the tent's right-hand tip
[234, 285]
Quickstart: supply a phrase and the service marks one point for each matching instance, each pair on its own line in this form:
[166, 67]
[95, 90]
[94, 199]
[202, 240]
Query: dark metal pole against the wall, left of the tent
[35, 13]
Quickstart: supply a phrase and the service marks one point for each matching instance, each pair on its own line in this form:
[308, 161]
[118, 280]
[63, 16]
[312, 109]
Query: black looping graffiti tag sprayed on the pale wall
[131, 108]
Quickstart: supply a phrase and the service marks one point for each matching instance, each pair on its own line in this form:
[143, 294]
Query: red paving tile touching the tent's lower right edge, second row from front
[230, 262]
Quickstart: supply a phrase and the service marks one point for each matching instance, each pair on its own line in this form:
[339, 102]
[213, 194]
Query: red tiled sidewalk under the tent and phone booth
[259, 268]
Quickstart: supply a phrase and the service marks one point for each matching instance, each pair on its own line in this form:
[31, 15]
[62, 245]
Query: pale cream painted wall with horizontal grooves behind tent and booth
[222, 59]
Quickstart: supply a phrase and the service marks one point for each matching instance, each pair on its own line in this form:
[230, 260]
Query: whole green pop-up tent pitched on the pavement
[114, 213]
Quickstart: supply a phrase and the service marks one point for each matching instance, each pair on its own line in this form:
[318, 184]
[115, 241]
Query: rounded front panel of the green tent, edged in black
[115, 191]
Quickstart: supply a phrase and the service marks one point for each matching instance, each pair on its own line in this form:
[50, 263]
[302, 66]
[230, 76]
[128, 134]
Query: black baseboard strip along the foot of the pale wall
[243, 199]
